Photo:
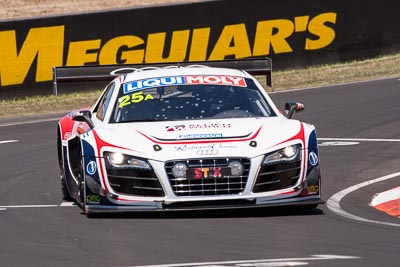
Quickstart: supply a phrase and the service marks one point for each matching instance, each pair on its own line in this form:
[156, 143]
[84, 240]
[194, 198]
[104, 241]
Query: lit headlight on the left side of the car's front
[120, 160]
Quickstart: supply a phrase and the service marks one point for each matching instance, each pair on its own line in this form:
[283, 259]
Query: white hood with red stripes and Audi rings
[242, 137]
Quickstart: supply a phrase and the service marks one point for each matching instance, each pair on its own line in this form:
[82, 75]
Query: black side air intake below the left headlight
[135, 182]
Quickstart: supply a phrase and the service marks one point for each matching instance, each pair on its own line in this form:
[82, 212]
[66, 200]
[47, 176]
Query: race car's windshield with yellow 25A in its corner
[172, 100]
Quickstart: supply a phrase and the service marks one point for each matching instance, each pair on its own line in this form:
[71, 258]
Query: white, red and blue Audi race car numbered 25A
[182, 137]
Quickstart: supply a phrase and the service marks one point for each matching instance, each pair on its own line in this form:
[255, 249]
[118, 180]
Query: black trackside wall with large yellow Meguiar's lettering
[294, 33]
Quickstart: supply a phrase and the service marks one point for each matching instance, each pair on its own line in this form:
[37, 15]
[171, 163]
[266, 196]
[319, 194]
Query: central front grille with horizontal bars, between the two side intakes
[225, 185]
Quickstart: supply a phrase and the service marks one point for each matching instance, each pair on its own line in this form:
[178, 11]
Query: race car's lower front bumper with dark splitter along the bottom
[305, 192]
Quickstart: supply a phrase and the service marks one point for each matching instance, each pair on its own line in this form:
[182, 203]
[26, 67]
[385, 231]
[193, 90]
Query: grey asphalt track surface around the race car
[34, 234]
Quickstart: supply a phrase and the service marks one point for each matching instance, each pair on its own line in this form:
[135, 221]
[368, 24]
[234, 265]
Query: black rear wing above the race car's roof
[83, 74]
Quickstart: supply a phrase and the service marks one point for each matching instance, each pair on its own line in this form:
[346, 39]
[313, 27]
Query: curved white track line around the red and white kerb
[333, 202]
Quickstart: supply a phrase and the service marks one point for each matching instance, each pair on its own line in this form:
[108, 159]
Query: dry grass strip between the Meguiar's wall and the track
[382, 67]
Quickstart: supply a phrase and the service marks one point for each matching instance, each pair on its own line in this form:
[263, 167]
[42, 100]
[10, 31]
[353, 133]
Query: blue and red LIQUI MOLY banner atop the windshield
[179, 80]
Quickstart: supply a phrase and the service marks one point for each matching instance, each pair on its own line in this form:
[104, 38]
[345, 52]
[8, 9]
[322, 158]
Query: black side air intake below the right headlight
[277, 176]
